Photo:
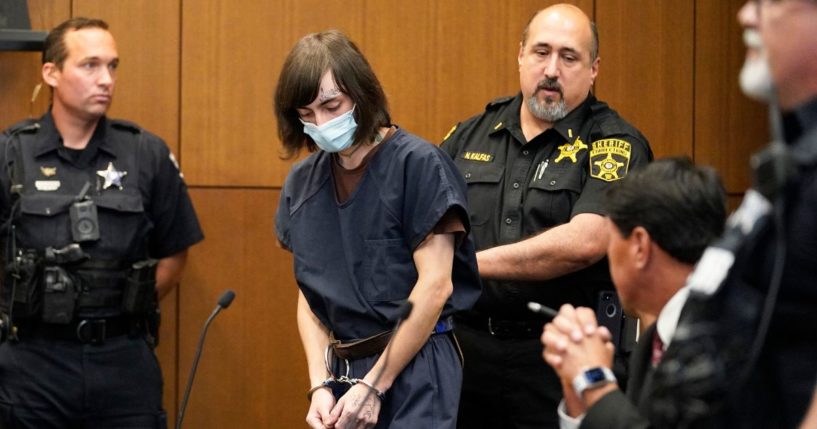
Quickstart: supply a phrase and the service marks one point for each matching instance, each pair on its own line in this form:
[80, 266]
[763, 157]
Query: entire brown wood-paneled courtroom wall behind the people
[201, 74]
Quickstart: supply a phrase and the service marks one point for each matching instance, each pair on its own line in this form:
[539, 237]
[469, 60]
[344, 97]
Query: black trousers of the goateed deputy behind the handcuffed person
[506, 383]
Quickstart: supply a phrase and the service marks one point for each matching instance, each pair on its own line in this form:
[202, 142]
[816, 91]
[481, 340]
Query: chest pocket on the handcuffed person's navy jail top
[390, 270]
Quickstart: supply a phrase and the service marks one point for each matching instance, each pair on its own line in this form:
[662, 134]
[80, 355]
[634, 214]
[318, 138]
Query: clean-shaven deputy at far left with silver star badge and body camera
[96, 220]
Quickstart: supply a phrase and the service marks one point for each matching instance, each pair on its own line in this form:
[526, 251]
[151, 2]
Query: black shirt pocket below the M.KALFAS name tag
[484, 184]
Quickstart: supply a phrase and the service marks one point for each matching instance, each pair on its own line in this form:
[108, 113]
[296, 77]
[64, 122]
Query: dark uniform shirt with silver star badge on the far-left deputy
[147, 212]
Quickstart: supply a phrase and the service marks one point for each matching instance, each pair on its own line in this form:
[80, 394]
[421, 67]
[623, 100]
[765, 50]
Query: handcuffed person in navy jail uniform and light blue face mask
[373, 217]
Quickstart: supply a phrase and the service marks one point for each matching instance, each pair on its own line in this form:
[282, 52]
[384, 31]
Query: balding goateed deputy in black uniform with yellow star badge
[537, 167]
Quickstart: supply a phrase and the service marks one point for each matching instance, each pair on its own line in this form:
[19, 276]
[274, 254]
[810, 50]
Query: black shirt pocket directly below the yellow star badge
[551, 197]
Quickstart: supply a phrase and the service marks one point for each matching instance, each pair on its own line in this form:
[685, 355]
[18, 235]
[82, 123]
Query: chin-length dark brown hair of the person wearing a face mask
[299, 83]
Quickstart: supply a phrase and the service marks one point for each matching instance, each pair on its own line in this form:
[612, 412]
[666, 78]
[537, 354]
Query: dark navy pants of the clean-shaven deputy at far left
[49, 384]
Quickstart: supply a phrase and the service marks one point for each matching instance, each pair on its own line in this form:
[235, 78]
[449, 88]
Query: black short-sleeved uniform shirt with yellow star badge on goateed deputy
[517, 189]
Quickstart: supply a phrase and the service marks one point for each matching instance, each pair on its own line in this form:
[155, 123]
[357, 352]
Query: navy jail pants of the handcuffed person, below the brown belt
[425, 394]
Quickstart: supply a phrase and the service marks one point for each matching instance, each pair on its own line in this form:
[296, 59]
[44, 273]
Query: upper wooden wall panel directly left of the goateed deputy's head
[474, 57]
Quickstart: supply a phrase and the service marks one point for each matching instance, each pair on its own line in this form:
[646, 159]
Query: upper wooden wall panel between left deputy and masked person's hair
[232, 54]
